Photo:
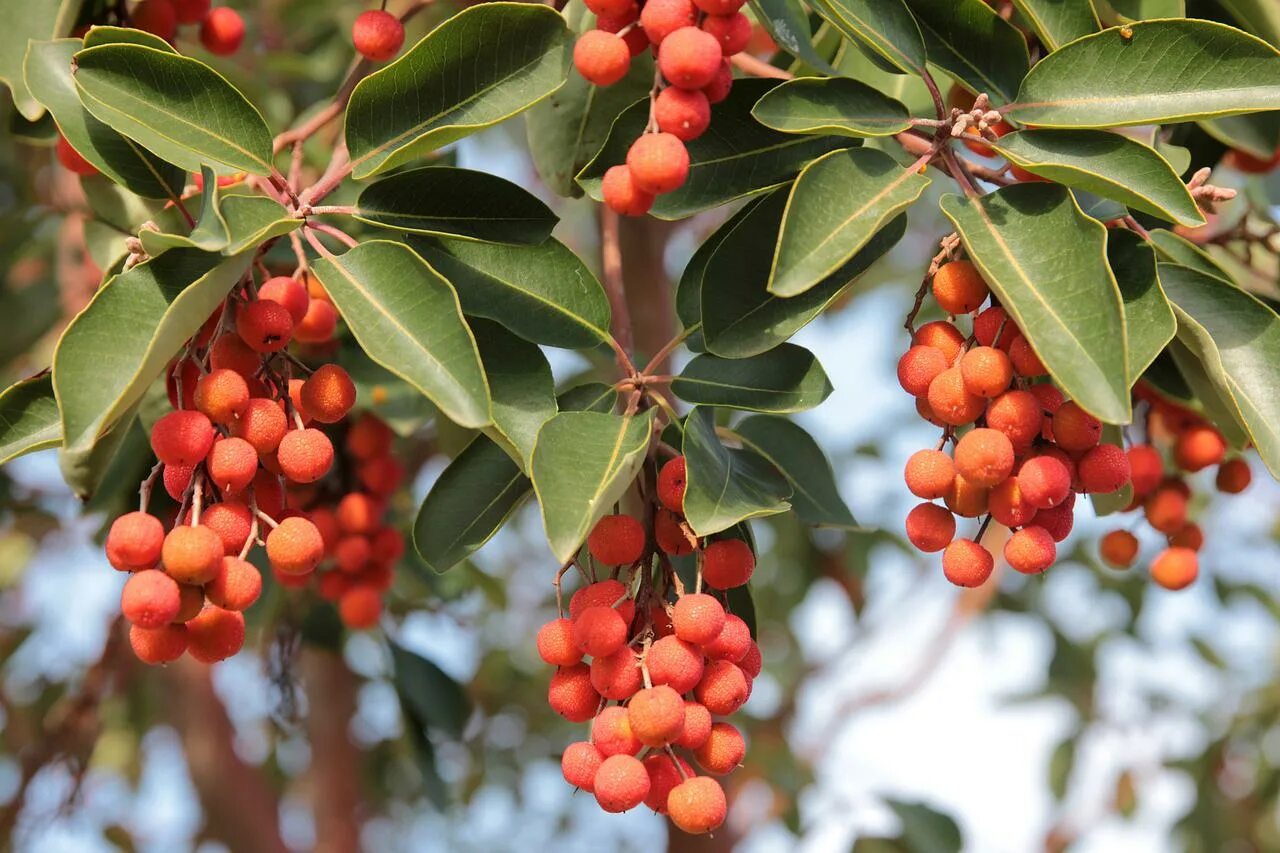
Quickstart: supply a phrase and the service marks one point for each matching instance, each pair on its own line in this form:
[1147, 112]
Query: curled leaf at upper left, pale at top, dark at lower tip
[49, 77]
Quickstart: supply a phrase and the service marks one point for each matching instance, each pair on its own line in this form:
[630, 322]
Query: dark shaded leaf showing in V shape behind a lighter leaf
[740, 317]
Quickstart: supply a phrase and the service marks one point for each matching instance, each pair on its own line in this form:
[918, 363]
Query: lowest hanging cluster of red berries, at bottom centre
[664, 664]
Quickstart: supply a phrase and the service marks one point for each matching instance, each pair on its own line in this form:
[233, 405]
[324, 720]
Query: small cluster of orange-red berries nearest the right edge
[1164, 500]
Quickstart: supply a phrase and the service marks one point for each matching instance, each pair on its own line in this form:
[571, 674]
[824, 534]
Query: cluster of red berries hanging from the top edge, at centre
[694, 40]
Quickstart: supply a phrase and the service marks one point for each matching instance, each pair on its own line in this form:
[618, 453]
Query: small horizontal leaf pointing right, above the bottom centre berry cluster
[784, 380]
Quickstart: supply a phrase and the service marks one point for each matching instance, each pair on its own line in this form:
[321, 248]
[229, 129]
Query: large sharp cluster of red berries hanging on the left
[240, 430]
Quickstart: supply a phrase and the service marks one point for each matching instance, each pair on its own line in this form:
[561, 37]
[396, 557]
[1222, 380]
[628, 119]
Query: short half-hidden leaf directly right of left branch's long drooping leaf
[522, 385]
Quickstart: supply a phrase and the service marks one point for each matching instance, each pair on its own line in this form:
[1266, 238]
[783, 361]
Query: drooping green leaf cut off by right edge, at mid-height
[1238, 341]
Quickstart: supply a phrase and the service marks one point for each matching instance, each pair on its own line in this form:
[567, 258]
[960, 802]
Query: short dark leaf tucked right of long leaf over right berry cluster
[1149, 320]
